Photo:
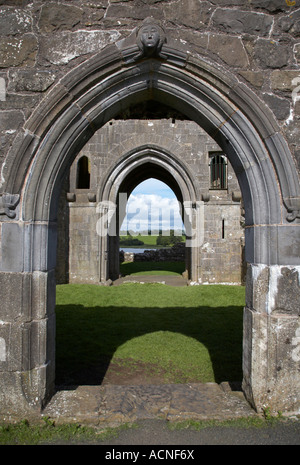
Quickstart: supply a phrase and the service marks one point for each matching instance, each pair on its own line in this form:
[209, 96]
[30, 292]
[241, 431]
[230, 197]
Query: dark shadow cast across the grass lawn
[88, 337]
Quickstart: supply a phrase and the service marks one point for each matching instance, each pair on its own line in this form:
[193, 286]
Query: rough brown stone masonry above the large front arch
[257, 40]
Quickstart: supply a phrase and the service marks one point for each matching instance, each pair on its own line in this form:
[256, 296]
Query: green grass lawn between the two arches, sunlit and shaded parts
[192, 333]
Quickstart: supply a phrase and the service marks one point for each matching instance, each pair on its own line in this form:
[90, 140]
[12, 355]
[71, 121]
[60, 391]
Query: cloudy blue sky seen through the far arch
[155, 197]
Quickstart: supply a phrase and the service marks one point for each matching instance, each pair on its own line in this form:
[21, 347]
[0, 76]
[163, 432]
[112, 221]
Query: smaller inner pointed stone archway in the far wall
[133, 168]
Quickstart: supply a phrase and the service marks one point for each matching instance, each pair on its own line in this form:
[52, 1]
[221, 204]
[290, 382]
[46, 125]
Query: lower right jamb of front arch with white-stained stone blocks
[271, 363]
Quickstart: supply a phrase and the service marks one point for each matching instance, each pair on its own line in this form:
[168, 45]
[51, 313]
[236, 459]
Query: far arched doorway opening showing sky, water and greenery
[152, 235]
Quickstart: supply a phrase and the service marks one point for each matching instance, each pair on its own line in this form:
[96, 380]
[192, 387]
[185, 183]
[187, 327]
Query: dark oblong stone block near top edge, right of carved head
[241, 22]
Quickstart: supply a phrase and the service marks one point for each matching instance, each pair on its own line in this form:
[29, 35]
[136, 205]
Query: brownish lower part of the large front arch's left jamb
[27, 342]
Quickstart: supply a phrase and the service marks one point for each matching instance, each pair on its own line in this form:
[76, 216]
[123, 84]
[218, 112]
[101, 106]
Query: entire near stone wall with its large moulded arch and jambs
[255, 42]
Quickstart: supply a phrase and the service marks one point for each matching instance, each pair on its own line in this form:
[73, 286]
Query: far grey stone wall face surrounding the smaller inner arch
[220, 253]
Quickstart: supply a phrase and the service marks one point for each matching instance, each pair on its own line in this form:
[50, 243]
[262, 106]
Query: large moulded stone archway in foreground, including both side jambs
[80, 103]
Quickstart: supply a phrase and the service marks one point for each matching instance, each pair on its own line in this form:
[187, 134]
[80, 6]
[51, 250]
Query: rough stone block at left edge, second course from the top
[17, 51]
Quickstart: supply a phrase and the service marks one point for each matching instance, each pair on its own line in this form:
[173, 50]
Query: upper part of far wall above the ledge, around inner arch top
[185, 139]
